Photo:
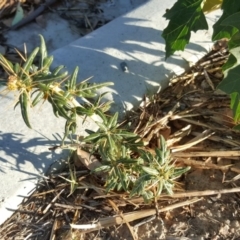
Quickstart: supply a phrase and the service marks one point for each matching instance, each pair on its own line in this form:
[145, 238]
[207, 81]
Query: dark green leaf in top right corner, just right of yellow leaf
[229, 7]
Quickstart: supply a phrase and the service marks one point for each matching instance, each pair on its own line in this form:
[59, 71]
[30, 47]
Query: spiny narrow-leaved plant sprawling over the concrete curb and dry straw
[124, 162]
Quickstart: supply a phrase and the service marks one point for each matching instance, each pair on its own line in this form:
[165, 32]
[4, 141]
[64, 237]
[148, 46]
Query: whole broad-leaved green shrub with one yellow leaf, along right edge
[189, 15]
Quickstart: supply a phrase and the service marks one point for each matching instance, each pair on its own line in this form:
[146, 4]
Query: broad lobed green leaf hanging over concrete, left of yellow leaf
[185, 16]
